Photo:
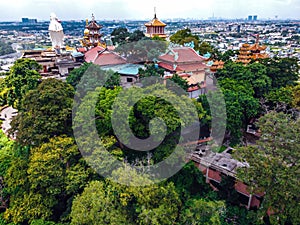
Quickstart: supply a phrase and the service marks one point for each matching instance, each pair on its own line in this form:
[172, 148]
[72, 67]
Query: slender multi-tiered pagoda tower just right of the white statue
[92, 34]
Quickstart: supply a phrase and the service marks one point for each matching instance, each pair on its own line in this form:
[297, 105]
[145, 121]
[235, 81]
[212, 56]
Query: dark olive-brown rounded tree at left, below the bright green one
[46, 112]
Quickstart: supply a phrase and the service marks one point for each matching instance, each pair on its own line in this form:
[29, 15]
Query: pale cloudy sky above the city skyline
[143, 9]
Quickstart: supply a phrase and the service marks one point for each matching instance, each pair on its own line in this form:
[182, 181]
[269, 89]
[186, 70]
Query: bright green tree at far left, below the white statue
[23, 77]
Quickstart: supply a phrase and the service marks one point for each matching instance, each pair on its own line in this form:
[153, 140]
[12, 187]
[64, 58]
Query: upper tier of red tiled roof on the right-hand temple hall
[185, 54]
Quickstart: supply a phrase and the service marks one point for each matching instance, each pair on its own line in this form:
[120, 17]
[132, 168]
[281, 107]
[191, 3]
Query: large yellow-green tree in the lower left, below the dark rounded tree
[54, 172]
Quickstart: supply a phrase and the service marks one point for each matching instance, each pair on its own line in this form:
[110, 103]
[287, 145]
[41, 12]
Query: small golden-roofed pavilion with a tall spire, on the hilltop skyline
[155, 28]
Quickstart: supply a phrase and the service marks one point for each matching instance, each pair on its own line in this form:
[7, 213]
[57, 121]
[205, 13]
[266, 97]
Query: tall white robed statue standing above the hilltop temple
[56, 32]
